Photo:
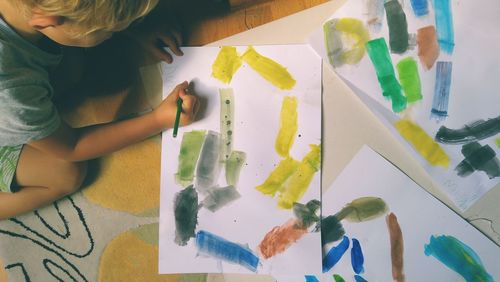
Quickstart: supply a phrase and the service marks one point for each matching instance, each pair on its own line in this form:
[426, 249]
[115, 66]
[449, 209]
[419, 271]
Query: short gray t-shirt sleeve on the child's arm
[27, 113]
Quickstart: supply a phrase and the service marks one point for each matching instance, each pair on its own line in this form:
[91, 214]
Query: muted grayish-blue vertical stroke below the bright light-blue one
[441, 91]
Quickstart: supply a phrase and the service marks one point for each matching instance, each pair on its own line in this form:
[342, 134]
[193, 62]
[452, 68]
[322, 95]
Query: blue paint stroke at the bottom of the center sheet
[220, 248]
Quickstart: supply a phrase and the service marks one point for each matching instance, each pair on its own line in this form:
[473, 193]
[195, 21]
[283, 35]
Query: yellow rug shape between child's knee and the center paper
[129, 180]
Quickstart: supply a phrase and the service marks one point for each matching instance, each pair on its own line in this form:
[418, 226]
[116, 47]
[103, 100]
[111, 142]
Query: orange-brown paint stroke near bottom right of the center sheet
[280, 238]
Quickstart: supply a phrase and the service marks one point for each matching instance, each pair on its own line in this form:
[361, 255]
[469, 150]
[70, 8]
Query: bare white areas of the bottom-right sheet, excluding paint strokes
[419, 215]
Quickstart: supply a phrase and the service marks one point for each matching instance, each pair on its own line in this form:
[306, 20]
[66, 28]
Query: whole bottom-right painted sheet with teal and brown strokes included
[434, 244]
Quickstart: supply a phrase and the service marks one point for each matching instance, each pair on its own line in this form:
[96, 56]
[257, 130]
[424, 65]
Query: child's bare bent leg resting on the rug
[43, 179]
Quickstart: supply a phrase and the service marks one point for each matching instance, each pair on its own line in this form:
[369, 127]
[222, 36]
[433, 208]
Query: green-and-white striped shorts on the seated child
[9, 157]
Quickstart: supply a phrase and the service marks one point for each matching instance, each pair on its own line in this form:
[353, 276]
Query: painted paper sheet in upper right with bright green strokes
[453, 53]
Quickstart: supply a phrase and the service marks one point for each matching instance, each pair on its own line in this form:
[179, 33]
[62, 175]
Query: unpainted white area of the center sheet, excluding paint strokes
[257, 112]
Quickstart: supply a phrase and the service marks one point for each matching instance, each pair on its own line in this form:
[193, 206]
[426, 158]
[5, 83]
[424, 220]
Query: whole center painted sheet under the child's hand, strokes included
[230, 238]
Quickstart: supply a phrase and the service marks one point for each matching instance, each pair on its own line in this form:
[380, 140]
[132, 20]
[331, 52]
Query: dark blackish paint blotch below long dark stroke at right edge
[481, 158]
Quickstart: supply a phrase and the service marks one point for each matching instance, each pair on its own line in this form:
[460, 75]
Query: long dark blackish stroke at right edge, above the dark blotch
[474, 131]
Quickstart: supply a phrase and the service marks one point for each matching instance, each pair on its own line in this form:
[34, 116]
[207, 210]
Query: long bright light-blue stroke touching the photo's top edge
[444, 25]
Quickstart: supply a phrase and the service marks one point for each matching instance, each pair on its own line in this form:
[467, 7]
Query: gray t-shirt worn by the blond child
[26, 109]
